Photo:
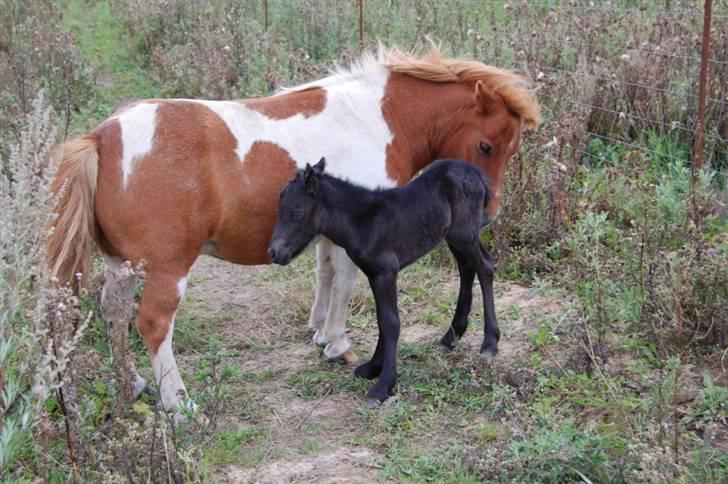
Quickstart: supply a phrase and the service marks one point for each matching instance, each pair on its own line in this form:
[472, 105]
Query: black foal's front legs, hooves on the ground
[384, 361]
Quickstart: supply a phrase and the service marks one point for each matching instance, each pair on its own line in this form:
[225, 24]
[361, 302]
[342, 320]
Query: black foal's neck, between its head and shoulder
[339, 204]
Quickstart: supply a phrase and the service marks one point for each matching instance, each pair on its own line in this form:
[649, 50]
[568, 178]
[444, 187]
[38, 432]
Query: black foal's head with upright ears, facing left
[296, 224]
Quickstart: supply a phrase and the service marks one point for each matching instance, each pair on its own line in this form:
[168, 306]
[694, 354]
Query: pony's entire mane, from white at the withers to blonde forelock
[516, 90]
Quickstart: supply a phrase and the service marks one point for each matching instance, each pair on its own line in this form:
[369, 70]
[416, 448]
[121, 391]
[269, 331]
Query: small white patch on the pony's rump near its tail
[137, 133]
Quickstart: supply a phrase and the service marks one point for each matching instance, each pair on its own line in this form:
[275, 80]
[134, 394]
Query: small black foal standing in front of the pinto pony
[384, 231]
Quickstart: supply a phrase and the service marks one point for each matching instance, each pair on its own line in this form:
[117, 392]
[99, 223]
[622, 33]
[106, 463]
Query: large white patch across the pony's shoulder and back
[350, 132]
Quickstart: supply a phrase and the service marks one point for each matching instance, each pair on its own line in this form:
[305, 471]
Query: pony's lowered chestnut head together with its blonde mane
[487, 113]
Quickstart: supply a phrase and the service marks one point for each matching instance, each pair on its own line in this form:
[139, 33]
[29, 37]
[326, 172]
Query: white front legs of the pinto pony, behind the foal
[333, 333]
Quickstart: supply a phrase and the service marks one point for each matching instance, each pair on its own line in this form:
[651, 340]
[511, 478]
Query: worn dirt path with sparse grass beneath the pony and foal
[311, 431]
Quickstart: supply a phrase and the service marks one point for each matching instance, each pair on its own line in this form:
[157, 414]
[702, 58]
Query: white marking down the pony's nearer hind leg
[166, 373]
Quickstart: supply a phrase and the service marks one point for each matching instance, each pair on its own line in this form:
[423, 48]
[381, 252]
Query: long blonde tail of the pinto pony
[74, 229]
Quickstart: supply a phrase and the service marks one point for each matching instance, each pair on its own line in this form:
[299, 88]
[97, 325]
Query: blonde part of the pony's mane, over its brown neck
[516, 91]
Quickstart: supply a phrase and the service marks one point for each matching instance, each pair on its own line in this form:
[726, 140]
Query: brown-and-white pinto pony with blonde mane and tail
[167, 180]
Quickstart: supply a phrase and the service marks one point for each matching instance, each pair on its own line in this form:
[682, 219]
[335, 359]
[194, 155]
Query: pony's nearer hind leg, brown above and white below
[163, 292]
